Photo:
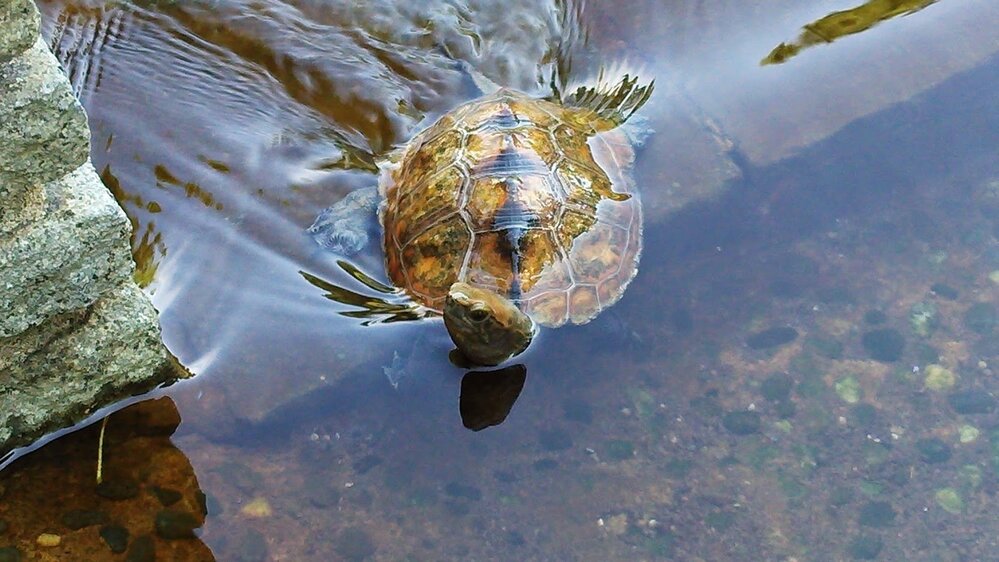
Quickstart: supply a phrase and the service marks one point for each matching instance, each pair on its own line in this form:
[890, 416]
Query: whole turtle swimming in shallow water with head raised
[508, 213]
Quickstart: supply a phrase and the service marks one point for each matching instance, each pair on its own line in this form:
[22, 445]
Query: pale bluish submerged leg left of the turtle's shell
[346, 227]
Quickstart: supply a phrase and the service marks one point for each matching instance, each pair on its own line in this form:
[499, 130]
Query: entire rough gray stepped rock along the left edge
[76, 333]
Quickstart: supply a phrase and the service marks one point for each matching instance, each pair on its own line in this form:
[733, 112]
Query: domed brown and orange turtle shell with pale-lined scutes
[520, 196]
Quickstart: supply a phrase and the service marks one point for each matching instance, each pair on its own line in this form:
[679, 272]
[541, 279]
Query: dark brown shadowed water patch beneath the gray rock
[148, 499]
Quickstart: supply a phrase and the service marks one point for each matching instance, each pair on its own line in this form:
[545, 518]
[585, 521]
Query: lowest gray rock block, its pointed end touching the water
[54, 374]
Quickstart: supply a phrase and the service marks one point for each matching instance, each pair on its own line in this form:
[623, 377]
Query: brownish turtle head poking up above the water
[487, 328]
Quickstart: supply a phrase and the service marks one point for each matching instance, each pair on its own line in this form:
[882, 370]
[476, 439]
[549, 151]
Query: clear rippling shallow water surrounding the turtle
[804, 367]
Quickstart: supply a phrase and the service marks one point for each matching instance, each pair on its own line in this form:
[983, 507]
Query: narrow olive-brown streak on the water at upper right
[840, 24]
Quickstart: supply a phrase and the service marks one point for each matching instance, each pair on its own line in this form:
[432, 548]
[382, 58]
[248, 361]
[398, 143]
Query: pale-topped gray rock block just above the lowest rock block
[69, 259]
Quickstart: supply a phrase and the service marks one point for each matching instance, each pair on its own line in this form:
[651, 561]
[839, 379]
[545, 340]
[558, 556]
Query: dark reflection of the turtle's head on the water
[488, 396]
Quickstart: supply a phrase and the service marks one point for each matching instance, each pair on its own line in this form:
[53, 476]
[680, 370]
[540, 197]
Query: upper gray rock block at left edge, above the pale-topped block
[43, 126]
